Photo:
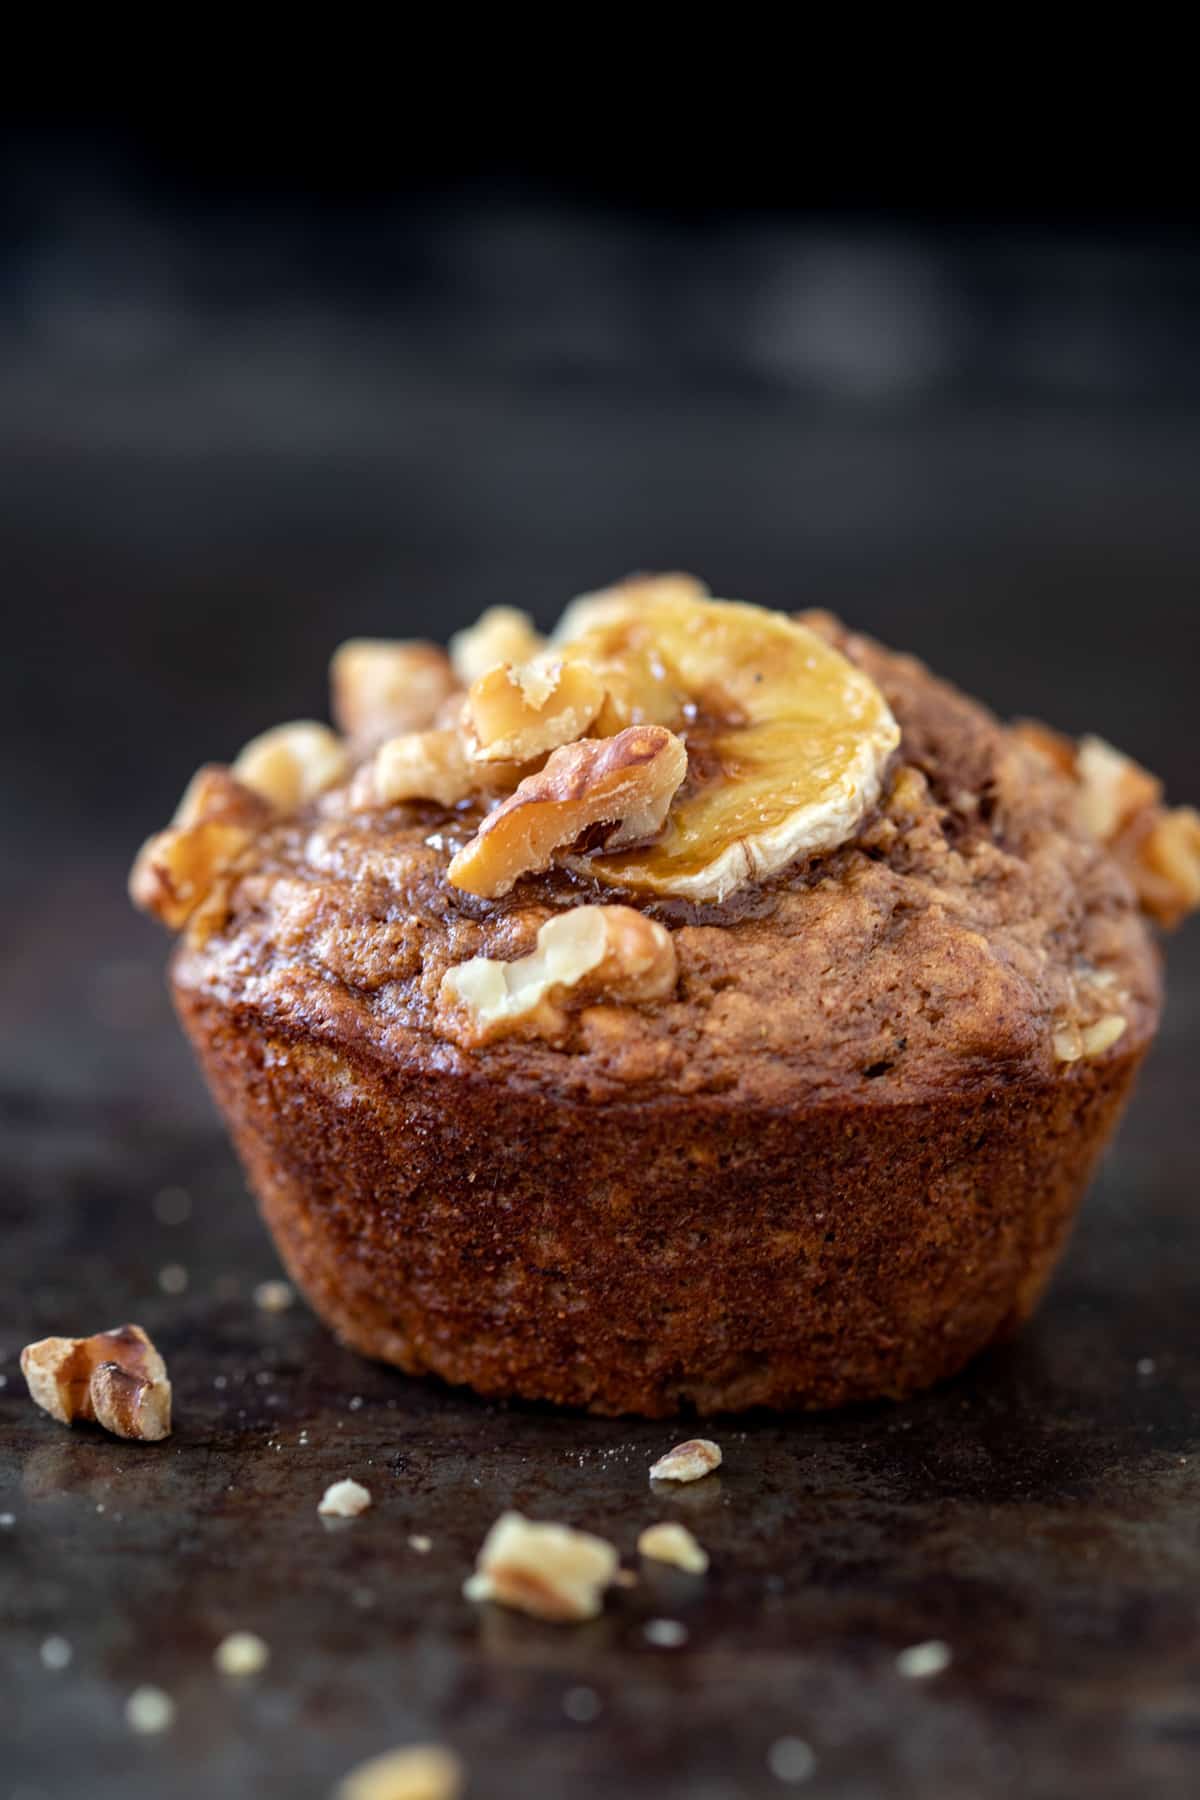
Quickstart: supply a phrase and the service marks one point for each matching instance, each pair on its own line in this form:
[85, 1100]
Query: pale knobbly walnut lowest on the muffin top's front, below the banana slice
[593, 951]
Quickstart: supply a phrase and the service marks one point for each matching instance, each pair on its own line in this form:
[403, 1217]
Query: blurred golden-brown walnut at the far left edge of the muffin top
[175, 870]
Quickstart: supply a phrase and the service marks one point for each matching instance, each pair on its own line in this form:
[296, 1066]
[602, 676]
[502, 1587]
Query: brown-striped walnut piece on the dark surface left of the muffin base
[114, 1380]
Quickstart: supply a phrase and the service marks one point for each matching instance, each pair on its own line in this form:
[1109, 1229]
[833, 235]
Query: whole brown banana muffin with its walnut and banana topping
[703, 1009]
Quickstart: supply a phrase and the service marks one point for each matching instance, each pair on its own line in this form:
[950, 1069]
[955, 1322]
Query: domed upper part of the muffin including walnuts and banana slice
[938, 903]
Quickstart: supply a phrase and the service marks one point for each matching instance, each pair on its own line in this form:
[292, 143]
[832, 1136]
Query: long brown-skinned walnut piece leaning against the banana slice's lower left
[623, 782]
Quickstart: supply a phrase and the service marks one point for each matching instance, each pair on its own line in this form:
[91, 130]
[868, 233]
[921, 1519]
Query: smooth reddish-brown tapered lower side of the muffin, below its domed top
[654, 1255]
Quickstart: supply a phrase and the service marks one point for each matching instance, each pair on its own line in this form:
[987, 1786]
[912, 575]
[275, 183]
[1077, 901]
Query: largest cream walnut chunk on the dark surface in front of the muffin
[548, 1570]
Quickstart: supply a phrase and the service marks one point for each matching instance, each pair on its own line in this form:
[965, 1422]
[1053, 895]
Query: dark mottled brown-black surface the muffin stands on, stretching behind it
[1041, 1515]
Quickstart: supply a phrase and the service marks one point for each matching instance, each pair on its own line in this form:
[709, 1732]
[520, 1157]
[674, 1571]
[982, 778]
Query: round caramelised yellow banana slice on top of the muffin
[787, 739]
